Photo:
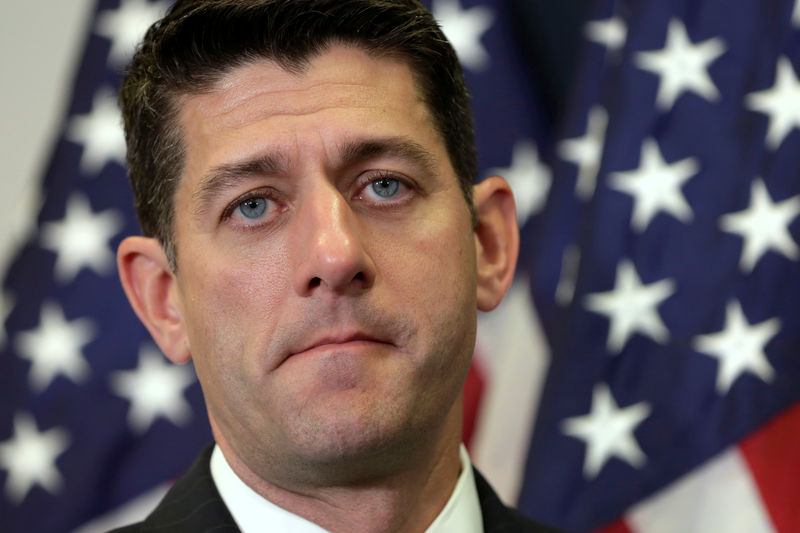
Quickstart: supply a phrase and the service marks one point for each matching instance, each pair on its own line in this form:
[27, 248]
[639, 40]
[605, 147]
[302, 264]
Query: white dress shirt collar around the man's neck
[251, 512]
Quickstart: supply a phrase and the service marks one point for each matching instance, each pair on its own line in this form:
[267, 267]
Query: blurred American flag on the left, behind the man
[92, 416]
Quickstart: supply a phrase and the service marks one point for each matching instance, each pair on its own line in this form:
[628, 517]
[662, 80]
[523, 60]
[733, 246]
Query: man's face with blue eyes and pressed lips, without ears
[326, 262]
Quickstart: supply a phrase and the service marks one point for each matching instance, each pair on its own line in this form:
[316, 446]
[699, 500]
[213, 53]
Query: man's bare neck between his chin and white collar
[406, 501]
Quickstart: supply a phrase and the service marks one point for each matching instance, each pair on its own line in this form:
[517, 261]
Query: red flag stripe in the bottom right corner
[773, 453]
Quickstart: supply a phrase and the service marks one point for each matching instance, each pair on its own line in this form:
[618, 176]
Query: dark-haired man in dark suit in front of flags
[303, 172]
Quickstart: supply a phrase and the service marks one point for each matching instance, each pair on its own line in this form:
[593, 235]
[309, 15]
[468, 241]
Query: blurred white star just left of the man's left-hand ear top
[81, 239]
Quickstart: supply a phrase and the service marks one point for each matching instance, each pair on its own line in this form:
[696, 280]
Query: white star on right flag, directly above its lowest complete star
[631, 307]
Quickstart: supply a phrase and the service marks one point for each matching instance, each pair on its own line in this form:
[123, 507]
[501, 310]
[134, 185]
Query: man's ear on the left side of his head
[151, 288]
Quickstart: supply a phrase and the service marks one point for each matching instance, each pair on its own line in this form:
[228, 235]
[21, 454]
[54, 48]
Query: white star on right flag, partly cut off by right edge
[781, 103]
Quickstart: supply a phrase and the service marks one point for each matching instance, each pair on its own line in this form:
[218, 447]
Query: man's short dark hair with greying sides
[199, 41]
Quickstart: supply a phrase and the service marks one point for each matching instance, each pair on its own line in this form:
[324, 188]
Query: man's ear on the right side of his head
[496, 239]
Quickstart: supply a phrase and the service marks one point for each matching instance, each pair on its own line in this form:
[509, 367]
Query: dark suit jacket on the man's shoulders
[193, 505]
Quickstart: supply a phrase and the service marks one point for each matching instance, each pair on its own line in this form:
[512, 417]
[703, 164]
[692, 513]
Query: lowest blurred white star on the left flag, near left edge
[29, 456]
